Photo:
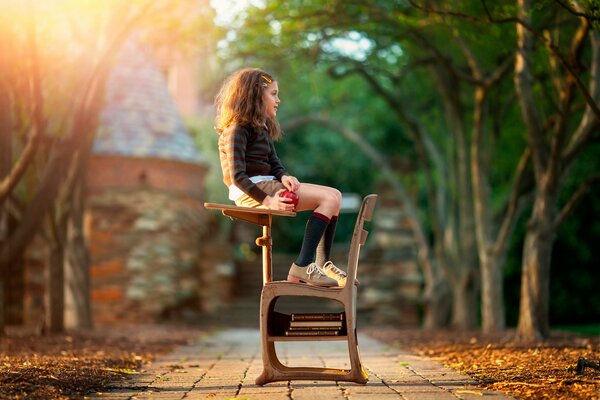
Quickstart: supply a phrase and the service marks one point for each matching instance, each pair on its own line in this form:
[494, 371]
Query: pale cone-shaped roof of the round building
[140, 118]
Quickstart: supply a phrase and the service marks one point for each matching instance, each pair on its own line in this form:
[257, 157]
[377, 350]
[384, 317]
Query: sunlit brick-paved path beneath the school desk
[224, 366]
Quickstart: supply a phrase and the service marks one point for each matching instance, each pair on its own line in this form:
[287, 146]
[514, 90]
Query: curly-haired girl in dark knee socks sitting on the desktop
[247, 126]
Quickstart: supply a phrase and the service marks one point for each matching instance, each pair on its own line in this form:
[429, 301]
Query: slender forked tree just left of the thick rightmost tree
[492, 228]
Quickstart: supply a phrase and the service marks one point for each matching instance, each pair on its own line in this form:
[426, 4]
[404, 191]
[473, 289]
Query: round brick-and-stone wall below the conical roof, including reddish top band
[145, 225]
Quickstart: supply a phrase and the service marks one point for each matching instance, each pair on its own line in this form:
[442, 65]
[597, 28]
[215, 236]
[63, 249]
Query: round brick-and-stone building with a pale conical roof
[144, 200]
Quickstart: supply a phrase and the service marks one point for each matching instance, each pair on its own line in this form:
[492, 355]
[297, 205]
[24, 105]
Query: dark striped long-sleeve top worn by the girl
[246, 152]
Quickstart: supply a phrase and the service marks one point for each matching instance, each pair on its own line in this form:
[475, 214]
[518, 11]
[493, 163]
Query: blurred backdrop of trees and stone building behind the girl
[476, 122]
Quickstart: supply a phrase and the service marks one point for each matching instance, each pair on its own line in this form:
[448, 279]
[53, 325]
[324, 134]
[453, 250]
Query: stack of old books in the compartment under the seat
[325, 324]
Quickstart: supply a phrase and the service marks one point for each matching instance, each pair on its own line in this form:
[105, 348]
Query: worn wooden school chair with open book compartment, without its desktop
[273, 325]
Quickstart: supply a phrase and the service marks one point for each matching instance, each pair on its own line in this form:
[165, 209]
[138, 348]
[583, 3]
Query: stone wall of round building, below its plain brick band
[145, 251]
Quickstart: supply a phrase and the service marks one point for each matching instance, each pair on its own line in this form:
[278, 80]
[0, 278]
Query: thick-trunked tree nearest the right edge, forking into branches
[554, 141]
